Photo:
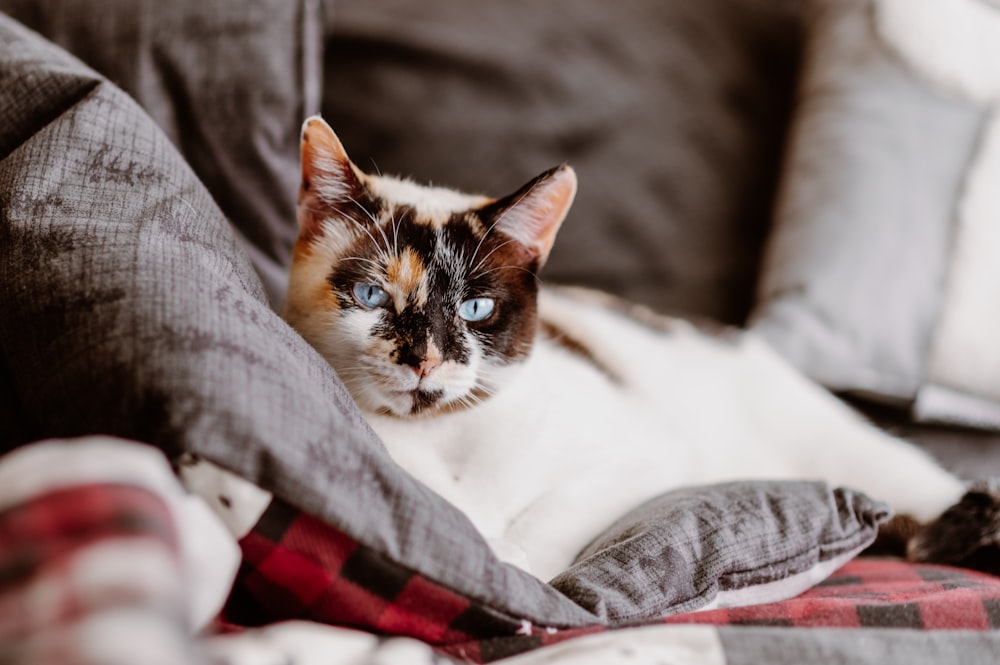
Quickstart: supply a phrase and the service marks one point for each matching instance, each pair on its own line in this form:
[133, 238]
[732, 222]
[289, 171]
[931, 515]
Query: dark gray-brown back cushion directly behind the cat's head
[673, 114]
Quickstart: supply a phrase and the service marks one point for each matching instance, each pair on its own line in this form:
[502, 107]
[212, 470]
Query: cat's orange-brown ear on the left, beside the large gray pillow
[330, 181]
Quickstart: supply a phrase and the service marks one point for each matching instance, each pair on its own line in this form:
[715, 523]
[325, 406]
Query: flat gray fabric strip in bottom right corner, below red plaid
[836, 646]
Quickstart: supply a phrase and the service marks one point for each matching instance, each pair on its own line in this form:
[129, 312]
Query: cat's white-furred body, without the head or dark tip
[562, 450]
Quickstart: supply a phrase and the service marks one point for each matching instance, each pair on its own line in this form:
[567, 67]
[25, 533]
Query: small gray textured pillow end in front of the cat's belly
[678, 552]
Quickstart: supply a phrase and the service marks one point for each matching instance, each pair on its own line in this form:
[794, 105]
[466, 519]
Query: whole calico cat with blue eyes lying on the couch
[545, 413]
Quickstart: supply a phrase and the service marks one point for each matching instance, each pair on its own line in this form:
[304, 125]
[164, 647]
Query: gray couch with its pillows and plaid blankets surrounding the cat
[184, 480]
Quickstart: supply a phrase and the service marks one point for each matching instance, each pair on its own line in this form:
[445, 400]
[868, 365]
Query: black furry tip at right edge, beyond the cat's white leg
[966, 535]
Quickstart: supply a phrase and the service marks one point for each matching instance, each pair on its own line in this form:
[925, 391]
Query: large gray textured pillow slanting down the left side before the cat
[130, 309]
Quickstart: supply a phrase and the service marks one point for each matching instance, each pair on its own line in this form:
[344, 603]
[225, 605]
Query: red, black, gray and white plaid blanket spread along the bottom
[104, 572]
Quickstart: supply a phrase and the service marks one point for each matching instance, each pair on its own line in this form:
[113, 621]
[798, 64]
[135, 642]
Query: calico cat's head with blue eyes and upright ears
[421, 298]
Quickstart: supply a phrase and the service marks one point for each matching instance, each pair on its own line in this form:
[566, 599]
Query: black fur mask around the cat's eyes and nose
[459, 263]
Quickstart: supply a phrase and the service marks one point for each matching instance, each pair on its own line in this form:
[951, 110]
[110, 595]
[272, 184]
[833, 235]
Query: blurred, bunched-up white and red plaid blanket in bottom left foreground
[104, 558]
